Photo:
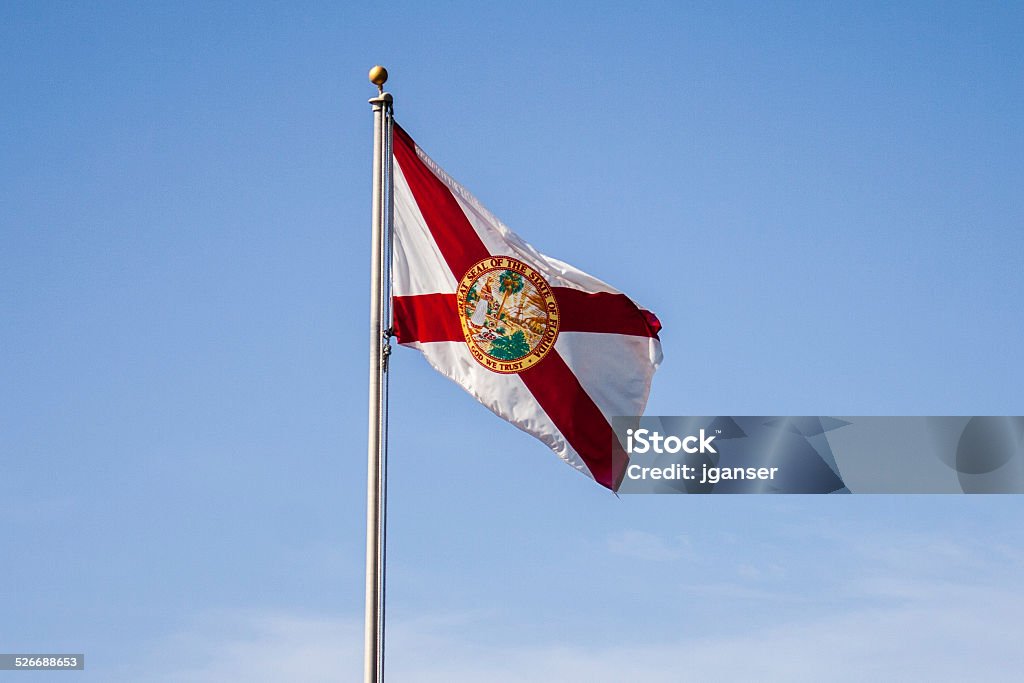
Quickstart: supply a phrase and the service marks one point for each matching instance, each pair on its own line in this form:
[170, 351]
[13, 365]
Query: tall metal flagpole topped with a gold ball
[379, 347]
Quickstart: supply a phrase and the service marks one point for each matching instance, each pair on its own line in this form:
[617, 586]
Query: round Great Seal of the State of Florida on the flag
[509, 315]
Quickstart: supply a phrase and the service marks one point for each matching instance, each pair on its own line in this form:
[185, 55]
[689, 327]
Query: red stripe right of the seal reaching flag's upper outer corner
[604, 312]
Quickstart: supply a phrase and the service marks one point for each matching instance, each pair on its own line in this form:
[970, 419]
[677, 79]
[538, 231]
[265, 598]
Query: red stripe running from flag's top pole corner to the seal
[455, 237]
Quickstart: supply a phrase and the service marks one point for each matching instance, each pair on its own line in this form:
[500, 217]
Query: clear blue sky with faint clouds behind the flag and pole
[821, 201]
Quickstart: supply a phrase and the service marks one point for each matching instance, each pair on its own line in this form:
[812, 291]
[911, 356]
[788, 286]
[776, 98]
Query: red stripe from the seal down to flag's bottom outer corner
[580, 420]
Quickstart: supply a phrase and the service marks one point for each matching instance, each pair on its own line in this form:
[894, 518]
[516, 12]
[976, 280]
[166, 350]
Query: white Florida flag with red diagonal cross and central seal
[544, 346]
